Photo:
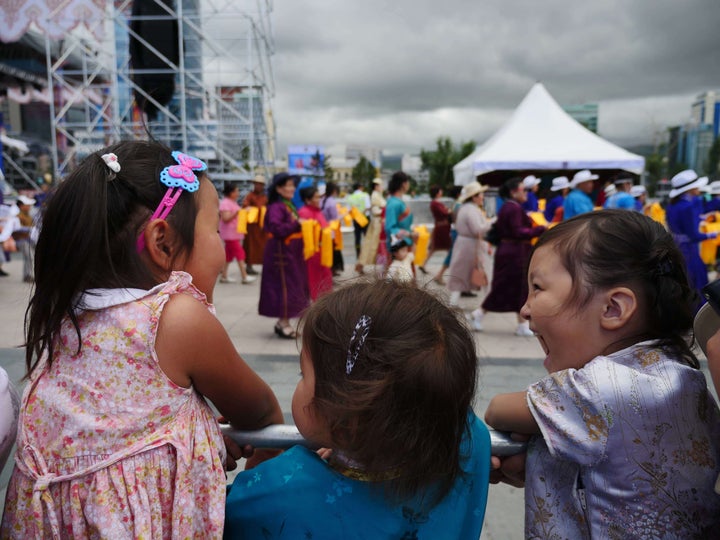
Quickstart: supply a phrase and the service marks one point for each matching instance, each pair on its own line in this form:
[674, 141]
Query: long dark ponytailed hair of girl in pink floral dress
[88, 239]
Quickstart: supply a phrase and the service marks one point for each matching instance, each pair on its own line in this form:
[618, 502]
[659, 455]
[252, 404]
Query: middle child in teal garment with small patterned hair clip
[387, 381]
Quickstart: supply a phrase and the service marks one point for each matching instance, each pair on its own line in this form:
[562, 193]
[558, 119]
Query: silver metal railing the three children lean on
[284, 436]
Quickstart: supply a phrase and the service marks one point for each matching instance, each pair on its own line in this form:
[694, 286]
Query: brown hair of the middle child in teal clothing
[405, 404]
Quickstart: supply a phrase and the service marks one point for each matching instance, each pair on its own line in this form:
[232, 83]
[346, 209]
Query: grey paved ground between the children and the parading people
[508, 362]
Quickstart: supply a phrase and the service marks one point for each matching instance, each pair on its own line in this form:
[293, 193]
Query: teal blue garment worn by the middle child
[298, 495]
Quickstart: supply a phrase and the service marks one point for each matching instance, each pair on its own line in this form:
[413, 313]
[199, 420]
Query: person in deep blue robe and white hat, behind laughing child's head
[683, 220]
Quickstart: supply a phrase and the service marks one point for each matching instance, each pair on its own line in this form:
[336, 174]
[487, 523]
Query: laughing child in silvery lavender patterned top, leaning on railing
[626, 437]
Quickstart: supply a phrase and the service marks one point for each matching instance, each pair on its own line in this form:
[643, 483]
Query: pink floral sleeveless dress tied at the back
[108, 446]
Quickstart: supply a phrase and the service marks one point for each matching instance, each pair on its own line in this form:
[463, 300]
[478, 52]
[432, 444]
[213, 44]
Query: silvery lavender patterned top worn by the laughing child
[630, 449]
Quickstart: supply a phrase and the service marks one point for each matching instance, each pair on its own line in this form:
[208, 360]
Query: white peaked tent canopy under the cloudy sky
[541, 136]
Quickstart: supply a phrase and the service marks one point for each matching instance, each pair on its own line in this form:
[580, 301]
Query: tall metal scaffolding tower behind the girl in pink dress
[221, 107]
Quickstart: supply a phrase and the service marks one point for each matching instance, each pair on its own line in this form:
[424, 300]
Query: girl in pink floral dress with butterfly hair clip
[116, 439]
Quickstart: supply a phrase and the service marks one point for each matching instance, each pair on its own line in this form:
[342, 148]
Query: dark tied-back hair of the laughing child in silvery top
[608, 248]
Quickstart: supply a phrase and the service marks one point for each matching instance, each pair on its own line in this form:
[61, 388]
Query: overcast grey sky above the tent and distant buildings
[397, 74]
